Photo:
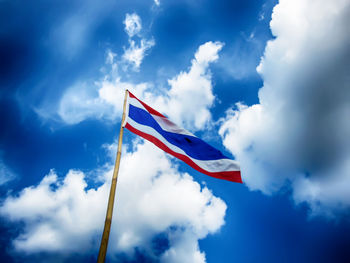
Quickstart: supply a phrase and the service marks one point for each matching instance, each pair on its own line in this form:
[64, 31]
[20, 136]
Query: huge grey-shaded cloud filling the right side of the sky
[298, 134]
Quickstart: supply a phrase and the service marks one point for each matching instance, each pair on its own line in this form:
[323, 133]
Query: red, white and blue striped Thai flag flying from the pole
[148, 123]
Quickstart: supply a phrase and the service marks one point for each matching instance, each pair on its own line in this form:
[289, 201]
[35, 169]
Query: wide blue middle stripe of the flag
[192, 146]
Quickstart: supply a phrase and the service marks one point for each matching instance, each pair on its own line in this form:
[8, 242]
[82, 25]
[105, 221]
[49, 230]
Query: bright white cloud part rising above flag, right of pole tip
[192, 91]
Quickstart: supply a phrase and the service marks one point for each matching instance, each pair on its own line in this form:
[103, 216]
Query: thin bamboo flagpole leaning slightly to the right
[108, 221]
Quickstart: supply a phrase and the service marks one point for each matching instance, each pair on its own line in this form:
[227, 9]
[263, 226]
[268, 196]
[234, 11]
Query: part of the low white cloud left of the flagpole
[55, 214]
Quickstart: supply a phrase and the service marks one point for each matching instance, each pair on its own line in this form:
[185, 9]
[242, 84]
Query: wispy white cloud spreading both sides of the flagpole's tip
[189, 91]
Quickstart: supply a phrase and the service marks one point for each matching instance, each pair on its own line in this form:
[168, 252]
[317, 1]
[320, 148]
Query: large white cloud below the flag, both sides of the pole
[152, 198]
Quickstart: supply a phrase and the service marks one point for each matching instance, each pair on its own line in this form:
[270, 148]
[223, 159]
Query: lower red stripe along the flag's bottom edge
[233, 176]
